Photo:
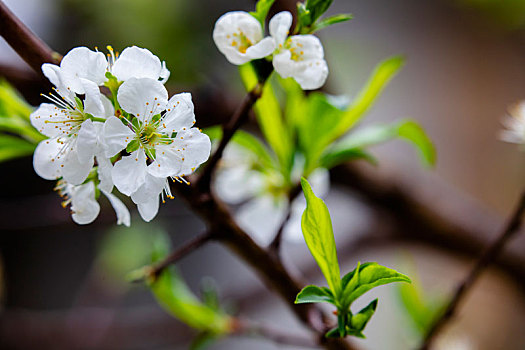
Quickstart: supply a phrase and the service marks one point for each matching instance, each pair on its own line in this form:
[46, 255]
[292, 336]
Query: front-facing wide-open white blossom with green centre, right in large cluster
[160, 137]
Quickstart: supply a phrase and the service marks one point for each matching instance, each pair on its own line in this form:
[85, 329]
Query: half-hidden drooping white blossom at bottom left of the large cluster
[84, 205]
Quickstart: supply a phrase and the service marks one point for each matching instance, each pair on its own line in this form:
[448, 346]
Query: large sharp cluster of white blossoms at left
[136, 139]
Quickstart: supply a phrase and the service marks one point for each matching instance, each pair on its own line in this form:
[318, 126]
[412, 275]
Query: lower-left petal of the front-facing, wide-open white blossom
[129, 172]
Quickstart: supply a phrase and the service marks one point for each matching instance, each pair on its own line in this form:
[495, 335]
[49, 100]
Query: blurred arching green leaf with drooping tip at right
[408, 130]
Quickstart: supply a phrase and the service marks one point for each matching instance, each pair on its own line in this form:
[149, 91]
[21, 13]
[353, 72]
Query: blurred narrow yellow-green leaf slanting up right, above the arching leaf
[383, 73]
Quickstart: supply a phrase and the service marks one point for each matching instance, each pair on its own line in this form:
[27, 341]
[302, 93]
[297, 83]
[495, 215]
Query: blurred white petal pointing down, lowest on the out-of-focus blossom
[261, 218]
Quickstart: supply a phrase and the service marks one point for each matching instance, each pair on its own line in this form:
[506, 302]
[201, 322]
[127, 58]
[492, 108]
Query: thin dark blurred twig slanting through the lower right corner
[484, 260]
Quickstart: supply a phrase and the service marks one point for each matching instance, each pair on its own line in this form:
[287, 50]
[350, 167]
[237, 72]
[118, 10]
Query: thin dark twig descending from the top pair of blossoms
[239, 118]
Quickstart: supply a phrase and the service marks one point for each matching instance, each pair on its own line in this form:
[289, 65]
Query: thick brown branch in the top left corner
[28, 46]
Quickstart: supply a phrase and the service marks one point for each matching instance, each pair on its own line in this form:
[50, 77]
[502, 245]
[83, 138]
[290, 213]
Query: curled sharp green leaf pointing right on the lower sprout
[369, 275]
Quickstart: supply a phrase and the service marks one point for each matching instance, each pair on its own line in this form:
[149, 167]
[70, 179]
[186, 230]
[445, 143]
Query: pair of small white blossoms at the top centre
[240, 37]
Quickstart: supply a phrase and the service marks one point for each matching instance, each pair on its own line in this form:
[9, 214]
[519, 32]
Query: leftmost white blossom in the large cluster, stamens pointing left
[72, 126]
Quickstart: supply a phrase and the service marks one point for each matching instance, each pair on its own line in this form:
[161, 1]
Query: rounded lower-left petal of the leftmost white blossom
[46, 161]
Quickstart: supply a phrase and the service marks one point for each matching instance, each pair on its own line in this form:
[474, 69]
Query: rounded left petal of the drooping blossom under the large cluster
[84, 206]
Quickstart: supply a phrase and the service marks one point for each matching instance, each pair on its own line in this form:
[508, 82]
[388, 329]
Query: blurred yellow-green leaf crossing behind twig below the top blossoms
[269, 117]
